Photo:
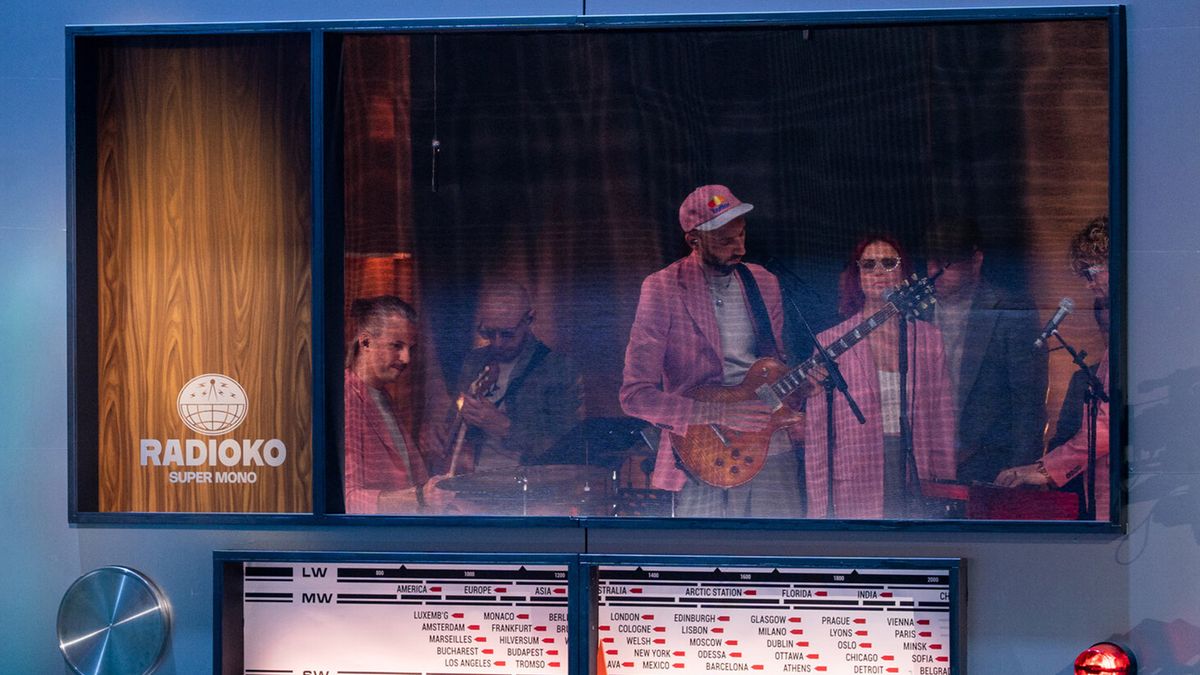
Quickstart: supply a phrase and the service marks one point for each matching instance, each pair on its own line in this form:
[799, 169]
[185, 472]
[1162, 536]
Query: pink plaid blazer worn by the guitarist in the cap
[676, 345]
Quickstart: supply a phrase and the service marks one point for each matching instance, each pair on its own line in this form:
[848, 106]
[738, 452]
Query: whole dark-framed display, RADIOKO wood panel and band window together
[781, 271]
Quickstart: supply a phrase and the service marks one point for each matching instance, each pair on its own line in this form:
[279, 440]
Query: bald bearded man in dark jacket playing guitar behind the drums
[538, 393]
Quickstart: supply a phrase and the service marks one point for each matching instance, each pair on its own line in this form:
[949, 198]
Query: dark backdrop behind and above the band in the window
[565, 158]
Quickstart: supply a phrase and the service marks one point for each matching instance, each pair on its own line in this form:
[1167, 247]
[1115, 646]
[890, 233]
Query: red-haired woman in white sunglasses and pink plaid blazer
[871, 479]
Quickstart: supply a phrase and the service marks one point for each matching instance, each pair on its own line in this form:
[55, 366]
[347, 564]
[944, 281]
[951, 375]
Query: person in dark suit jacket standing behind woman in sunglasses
[998, 377]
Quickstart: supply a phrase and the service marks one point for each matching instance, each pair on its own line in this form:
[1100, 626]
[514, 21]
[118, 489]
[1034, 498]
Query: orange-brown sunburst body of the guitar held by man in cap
[725, 458]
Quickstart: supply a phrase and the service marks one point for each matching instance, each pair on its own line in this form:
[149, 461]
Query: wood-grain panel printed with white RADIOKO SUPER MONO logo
[205, 219]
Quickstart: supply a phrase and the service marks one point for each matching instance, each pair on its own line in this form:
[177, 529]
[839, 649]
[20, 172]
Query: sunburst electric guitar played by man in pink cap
[727, 458]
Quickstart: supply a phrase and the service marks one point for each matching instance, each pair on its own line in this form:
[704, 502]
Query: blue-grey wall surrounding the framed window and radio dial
[1035, 601]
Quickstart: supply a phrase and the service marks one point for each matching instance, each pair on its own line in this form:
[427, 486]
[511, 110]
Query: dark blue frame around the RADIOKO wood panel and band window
[328, 264]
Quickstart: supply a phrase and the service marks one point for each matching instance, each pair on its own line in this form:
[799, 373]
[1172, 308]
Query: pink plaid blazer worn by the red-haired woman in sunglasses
[859, 461]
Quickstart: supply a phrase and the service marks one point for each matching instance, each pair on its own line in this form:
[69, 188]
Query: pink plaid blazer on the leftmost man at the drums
[373, 461]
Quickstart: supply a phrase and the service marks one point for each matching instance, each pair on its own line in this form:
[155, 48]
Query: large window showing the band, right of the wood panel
[585, 272]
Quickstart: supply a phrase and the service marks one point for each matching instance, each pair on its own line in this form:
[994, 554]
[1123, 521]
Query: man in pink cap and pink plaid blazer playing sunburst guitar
[705, 320]
